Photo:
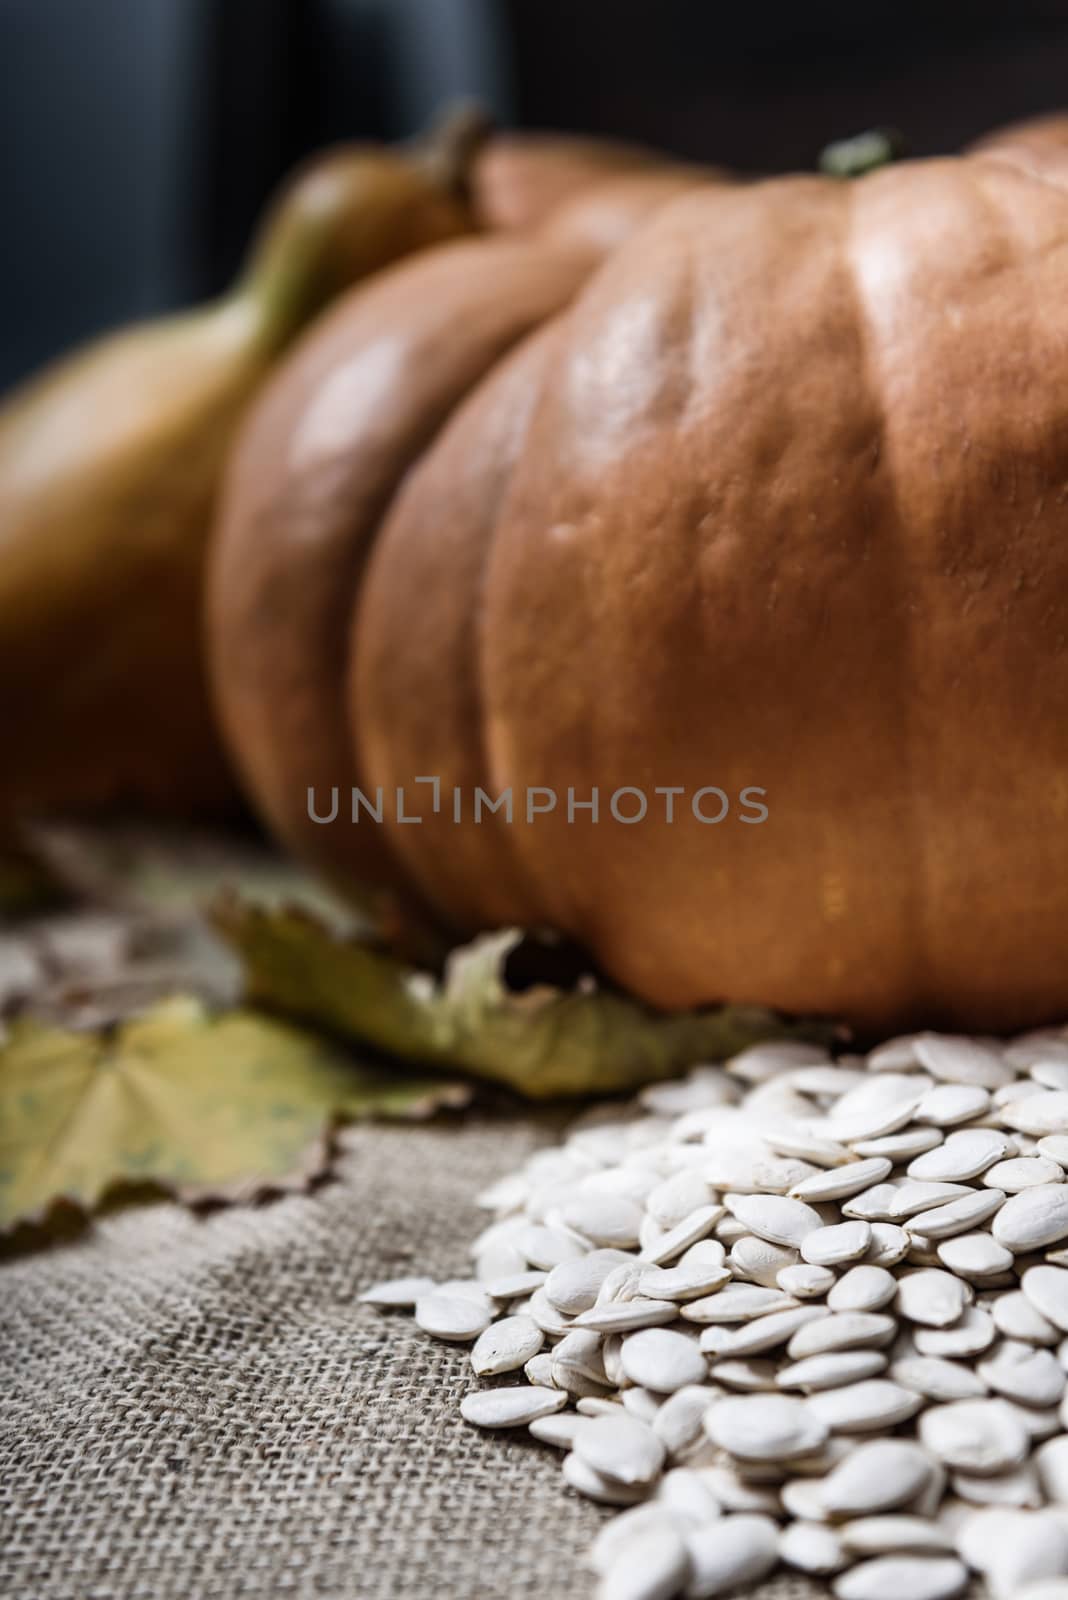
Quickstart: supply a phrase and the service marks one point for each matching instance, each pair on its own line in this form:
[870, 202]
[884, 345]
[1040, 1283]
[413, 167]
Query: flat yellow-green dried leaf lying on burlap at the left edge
[201, 1106]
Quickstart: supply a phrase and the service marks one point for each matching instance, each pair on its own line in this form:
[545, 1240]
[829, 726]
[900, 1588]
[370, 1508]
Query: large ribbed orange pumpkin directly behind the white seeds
[771, 498]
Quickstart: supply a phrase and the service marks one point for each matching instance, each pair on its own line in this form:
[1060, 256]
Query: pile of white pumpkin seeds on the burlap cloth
[795, 1310]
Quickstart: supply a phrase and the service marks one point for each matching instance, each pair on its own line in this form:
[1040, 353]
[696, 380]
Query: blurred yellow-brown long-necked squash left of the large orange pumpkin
[110, 470]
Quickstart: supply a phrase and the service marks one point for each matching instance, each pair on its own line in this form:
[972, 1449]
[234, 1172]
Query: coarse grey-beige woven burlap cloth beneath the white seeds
[197, 1409]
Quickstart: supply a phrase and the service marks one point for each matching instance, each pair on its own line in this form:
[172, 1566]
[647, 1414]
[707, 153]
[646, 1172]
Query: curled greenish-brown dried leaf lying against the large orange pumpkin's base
[543, 1041]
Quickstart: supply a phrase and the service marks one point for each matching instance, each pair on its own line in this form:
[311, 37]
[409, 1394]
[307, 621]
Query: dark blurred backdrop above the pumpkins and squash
[138, 138]
